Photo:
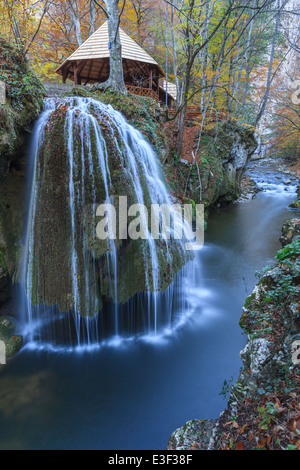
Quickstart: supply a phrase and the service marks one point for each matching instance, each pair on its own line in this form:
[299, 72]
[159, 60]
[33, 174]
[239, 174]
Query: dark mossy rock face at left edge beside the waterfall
[24, 96]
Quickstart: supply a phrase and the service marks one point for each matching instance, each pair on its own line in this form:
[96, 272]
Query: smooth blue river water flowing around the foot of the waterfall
[133, 394]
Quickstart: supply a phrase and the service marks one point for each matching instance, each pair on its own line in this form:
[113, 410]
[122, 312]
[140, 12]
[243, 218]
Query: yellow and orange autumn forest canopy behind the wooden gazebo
[225, 56]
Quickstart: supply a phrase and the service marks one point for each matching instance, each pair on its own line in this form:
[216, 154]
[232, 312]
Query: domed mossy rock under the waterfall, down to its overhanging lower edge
[87, 156]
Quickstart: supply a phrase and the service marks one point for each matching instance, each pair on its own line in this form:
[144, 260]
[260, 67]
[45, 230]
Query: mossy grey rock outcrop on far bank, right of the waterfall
[222, 161]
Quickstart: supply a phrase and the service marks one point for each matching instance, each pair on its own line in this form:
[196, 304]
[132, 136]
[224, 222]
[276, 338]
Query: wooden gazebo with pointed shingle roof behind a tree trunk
[90, 64]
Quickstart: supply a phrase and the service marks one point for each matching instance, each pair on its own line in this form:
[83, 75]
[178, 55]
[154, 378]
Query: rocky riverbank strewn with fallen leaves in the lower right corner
[263, 408]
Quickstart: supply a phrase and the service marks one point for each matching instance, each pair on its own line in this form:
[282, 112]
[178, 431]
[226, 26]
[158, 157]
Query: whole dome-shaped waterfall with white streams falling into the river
[78, 290]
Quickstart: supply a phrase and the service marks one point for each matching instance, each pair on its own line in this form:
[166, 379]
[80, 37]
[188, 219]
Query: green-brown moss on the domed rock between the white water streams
[52, 272]
